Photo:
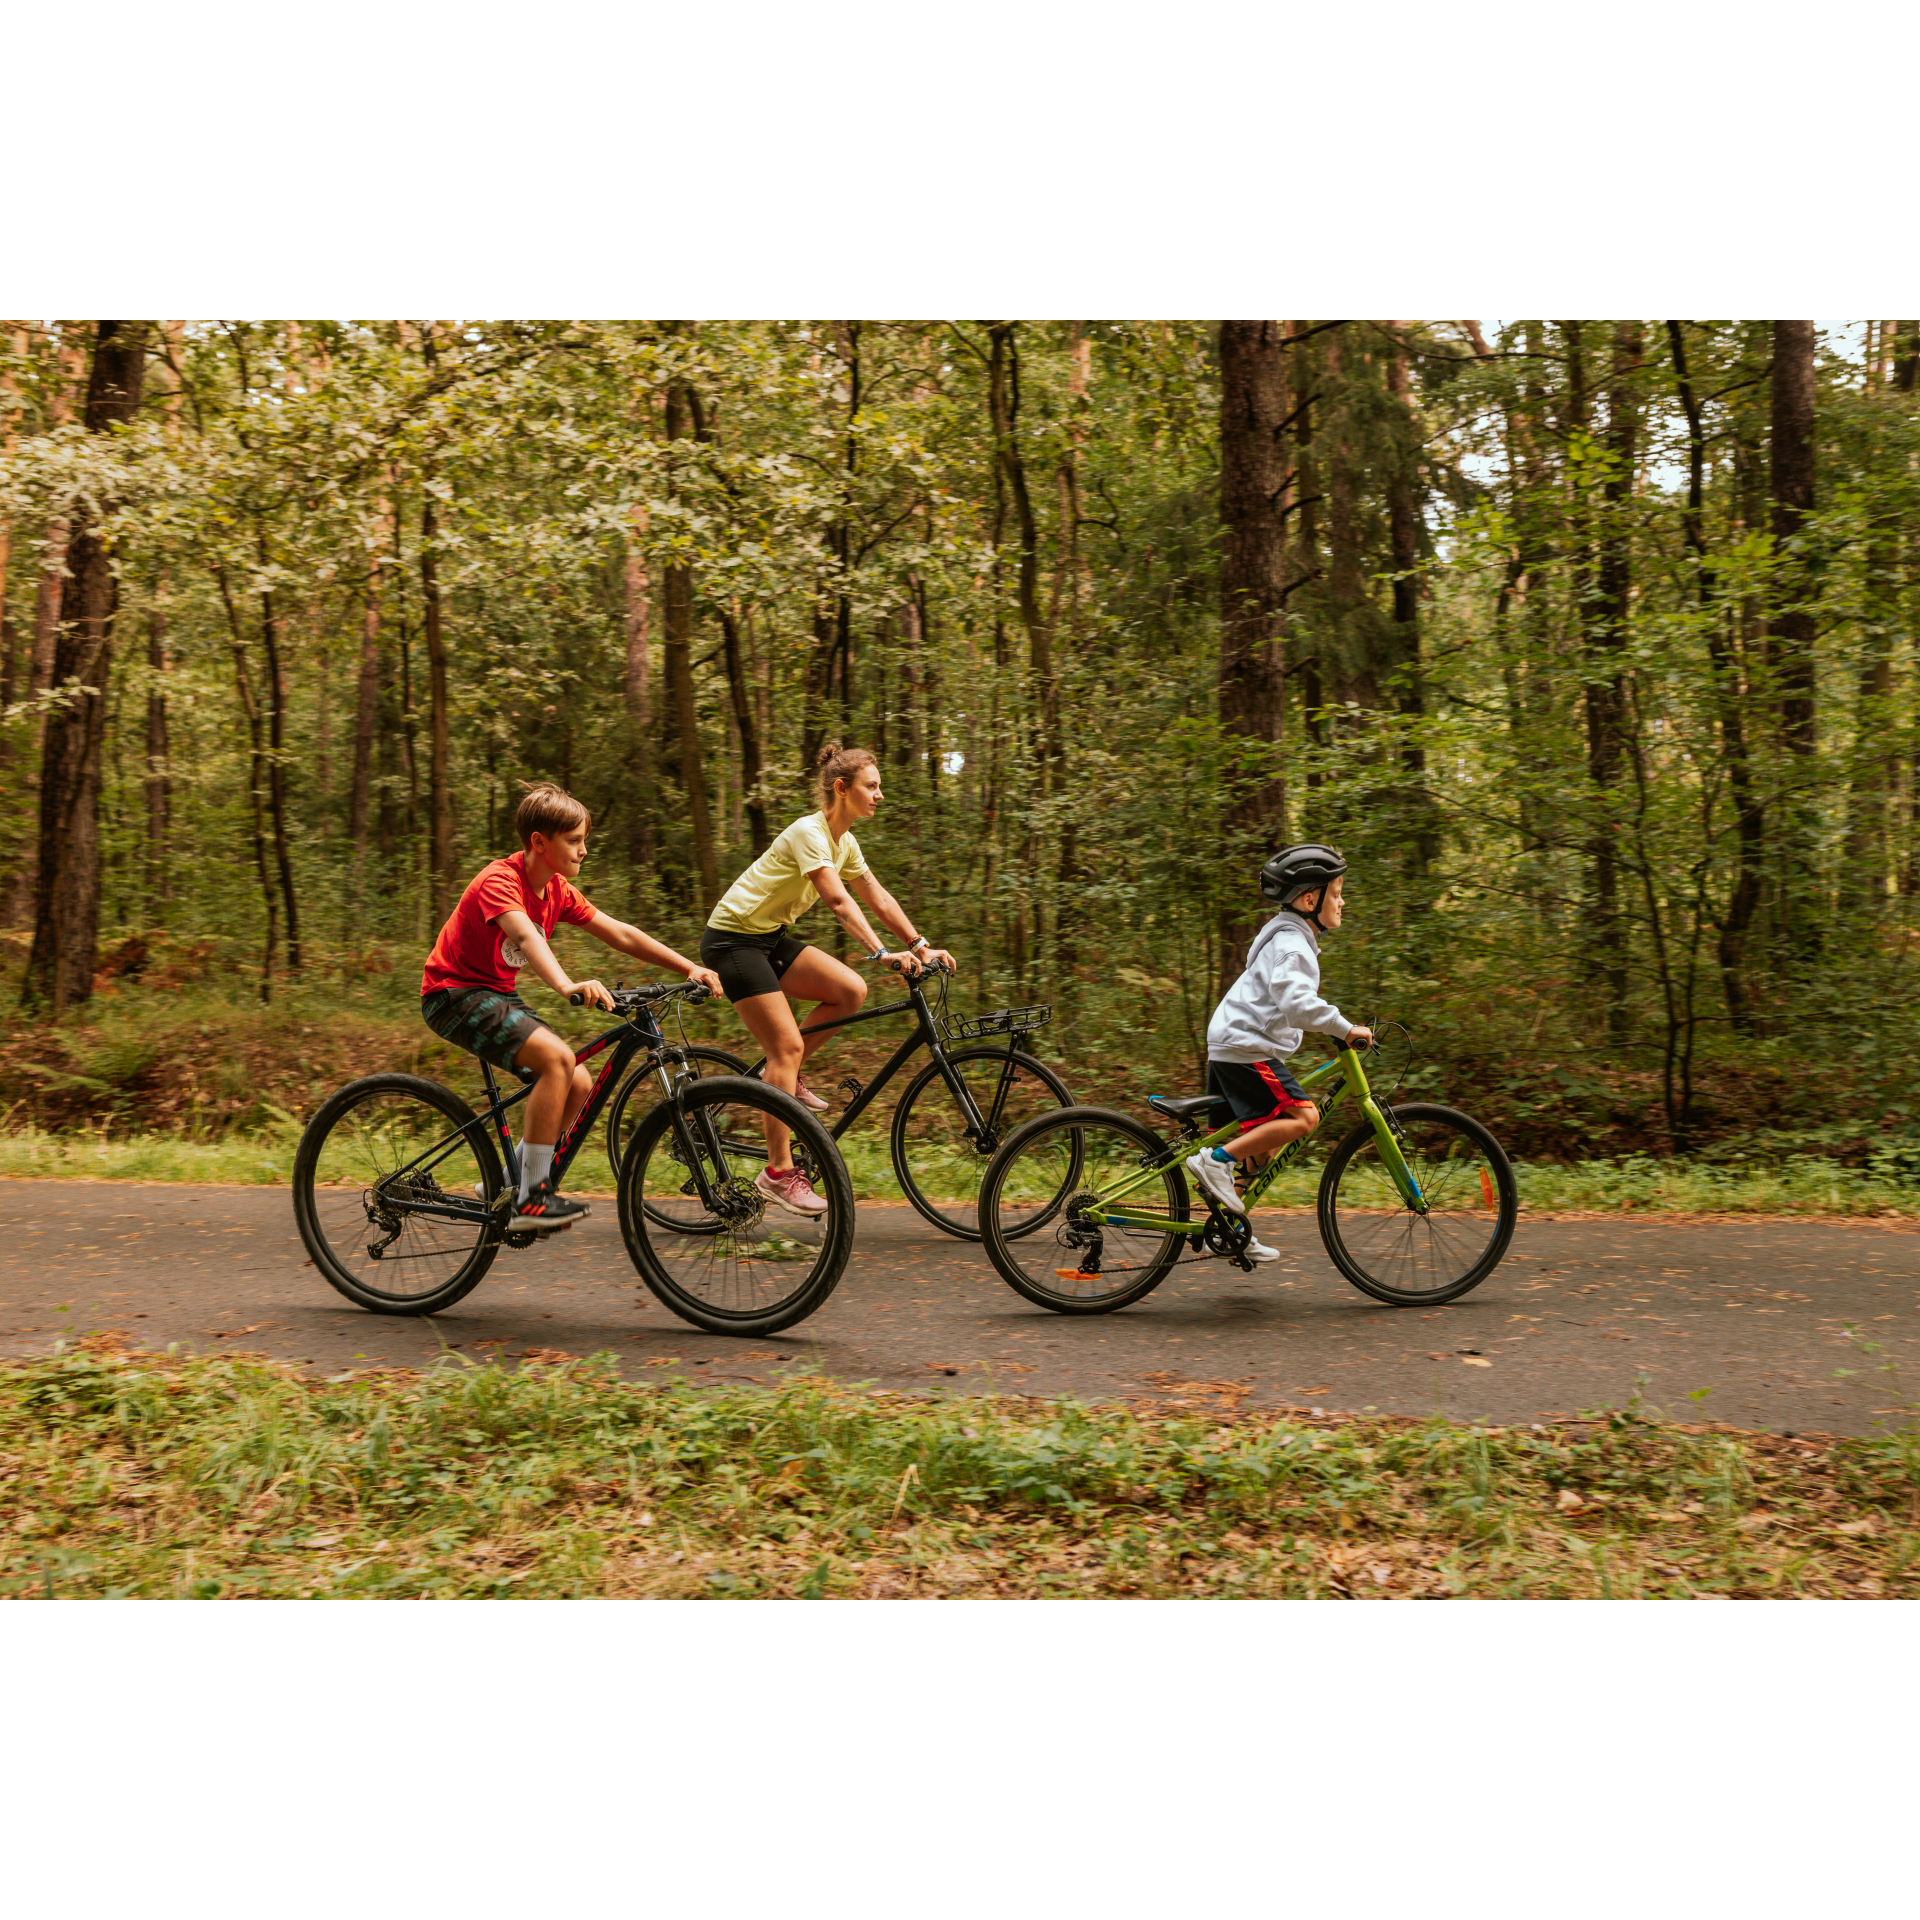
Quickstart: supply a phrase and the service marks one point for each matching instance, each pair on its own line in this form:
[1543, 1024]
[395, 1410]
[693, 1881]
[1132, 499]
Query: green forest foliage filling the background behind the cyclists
[1055, 790]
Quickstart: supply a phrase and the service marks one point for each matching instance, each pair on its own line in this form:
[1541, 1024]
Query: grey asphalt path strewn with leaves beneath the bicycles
[1716, 1320]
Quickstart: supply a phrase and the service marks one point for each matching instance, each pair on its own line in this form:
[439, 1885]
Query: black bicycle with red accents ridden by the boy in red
[404, 1191]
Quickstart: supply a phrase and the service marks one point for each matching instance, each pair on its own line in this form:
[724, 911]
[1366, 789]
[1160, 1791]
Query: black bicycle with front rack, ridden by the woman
[959, 1107]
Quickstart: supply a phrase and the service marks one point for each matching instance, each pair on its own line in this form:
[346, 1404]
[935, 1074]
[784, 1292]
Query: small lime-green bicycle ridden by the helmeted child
[1088, 1211]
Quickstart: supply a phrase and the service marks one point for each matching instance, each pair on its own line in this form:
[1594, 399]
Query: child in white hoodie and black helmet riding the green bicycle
[1268, 1011]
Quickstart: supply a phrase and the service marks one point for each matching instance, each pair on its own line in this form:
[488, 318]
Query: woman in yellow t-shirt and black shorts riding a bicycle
[765, 971]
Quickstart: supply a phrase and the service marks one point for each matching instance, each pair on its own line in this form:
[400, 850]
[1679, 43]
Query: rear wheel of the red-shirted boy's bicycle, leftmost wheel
[385, 1195]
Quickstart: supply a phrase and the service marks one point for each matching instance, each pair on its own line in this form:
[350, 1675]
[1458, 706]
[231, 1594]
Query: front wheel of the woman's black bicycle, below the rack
[938, 1163]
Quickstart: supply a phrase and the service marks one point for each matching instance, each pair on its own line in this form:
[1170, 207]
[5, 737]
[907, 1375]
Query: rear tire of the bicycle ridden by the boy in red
[333, 1149]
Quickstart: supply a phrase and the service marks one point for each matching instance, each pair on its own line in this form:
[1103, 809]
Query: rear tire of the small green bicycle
[1024, 1264]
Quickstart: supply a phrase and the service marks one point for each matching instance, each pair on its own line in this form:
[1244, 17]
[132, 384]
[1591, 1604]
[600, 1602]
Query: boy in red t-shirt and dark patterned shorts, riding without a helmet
[469, 992]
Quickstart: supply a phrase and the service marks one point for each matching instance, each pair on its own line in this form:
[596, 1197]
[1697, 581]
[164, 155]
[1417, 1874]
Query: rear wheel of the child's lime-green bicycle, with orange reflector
[1045, 1197]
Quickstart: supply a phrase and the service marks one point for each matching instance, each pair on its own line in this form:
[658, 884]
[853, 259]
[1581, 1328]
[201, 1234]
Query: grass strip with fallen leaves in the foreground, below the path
[212, 1477]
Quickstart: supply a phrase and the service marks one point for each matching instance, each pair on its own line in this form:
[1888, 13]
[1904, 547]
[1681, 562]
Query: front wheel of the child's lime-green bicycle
[1397, 1255]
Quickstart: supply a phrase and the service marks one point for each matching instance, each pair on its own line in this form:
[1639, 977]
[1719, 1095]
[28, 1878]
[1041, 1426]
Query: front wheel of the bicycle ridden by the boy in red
[711, 1270]
